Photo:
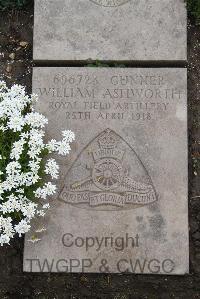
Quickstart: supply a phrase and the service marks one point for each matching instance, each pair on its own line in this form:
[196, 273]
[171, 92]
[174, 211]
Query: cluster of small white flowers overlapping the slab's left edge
[23, 192]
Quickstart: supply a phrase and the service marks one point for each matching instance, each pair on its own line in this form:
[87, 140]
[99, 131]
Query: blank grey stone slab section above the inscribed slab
[110, 30]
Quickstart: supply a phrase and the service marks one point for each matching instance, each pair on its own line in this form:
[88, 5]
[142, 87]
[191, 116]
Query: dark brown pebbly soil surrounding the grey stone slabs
[16, 66]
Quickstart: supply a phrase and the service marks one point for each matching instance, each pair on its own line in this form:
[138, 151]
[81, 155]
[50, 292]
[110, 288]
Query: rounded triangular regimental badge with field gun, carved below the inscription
[108, 175]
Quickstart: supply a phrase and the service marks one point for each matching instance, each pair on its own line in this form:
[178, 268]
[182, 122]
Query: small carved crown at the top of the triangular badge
[108, 140]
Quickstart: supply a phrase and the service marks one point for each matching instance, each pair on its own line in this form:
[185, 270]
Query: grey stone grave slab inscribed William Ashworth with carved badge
[122, 196]
